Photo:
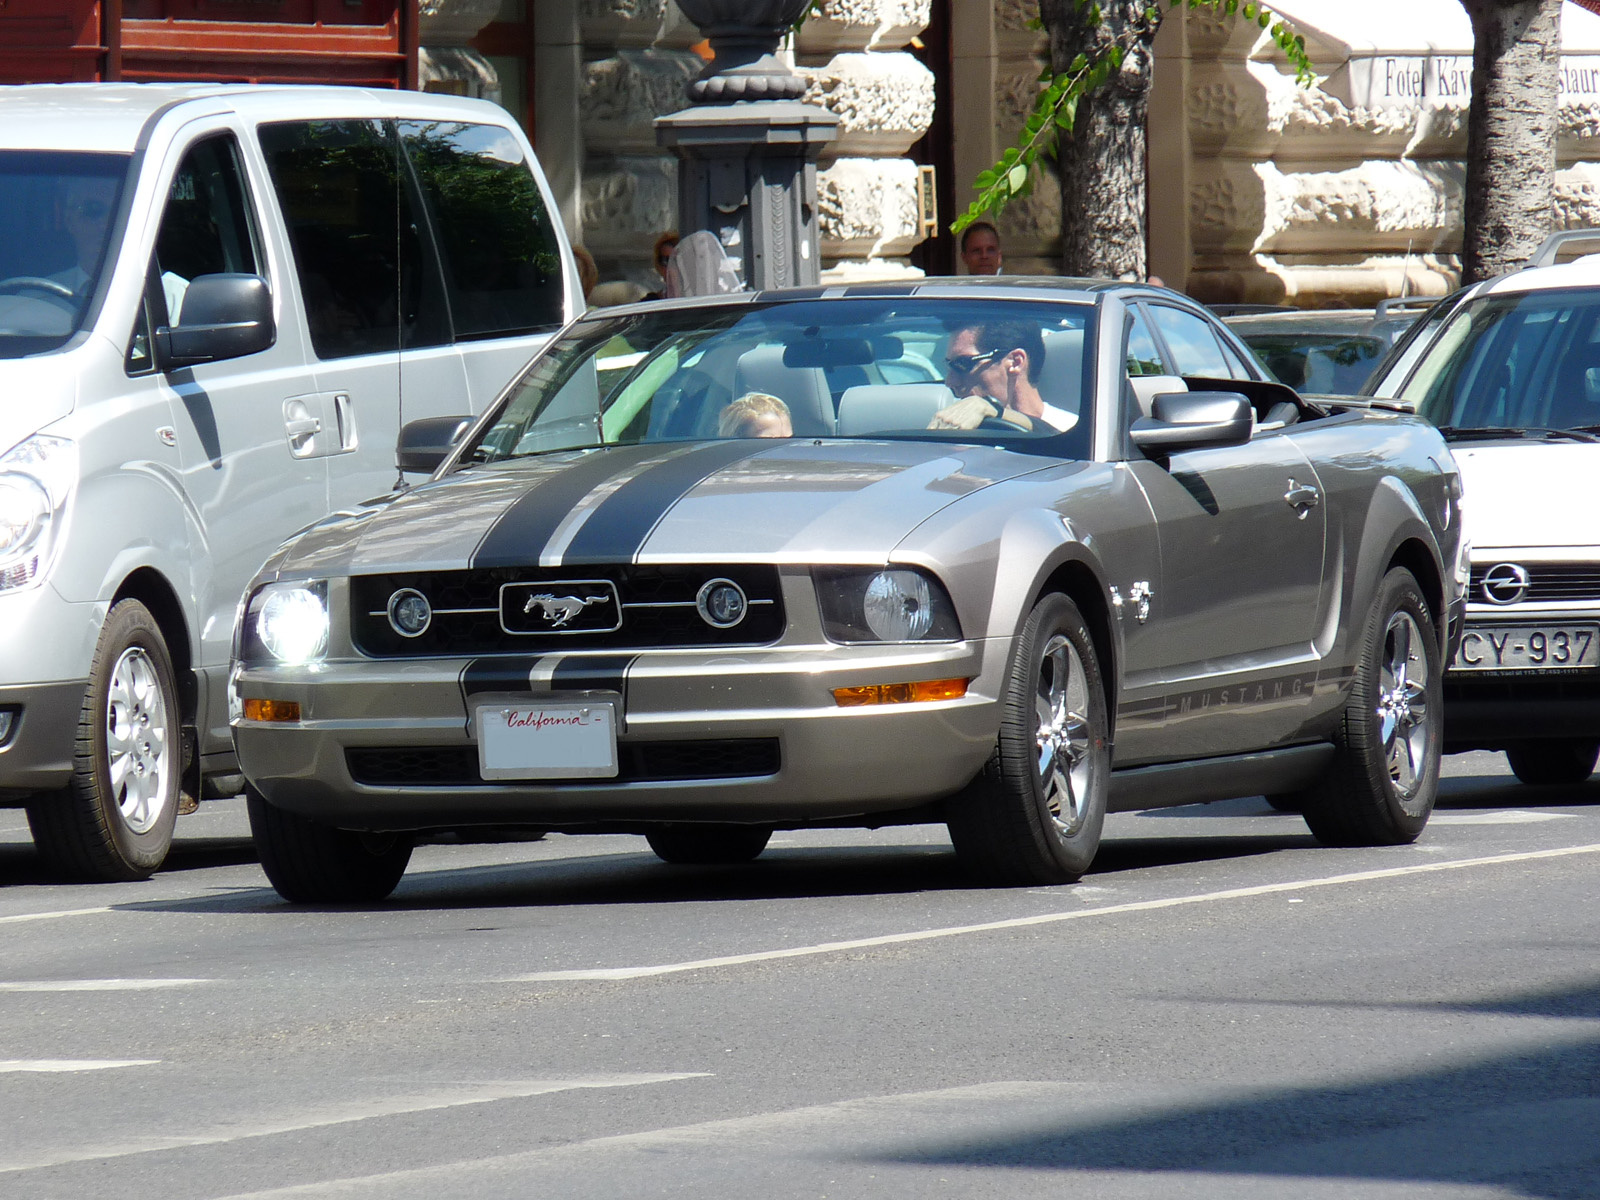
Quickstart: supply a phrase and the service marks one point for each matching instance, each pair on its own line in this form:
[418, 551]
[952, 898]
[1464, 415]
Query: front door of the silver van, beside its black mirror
[249, 471]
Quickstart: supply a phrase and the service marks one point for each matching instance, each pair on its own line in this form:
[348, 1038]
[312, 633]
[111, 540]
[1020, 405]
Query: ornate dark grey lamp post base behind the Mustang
[750, 146]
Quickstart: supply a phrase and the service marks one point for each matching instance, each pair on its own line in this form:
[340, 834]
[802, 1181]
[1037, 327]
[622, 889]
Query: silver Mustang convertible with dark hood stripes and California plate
[996, 556]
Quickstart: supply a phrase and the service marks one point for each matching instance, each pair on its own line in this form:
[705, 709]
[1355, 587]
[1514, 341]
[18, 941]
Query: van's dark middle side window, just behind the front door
[364, 270]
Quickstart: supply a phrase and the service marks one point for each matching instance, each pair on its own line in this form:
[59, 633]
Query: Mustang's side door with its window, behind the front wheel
[1242, 540]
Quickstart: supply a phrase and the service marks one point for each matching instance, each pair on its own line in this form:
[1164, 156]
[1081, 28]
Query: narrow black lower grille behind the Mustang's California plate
[638, 764]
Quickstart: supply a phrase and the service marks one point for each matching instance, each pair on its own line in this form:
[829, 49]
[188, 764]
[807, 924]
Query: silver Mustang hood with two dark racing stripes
[706, 502]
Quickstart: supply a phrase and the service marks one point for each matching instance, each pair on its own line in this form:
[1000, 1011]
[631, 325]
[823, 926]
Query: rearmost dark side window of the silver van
[502, 257]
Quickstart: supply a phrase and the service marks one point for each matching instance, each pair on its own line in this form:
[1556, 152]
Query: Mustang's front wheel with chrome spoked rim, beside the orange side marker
[1034, 814]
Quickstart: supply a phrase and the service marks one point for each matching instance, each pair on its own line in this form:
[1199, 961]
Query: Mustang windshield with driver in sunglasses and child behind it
[956, 370]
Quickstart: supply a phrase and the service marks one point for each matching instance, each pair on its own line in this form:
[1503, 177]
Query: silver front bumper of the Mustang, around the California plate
[830, 762]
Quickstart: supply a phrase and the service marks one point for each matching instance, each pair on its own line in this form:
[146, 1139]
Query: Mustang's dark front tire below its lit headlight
[311, 863]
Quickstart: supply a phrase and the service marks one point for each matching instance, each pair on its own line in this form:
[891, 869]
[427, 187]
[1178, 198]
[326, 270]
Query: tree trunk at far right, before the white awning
[1511, 134]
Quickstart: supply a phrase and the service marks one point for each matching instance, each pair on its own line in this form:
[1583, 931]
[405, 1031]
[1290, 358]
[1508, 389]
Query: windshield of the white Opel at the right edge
[1521, 362]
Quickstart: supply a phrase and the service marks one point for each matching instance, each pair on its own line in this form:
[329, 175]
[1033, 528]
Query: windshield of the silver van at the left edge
[57, 215]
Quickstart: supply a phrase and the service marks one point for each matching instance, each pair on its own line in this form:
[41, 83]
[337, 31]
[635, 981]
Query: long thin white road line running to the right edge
[1042, 919]
